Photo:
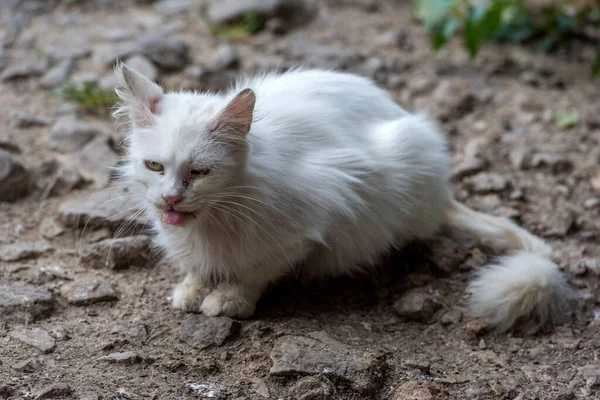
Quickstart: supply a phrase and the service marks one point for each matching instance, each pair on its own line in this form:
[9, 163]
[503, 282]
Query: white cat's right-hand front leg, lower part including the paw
[233, 299]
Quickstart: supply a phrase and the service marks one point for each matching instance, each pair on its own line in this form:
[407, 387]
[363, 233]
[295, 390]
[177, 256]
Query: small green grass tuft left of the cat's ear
[89, 96]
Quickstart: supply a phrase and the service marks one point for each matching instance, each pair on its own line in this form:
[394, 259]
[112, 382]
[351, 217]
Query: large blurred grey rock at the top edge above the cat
[292, 13]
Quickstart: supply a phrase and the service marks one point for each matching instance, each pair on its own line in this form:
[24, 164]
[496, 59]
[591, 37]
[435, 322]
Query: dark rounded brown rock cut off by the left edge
[15, 179]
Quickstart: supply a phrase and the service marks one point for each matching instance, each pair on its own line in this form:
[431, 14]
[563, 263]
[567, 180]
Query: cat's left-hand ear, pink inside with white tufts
[139, 96]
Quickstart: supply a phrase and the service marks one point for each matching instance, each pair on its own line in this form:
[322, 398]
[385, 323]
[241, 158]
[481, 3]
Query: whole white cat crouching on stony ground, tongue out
[308, 172]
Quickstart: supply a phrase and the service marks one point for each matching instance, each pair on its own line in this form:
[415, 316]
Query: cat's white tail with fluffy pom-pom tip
[525, 284]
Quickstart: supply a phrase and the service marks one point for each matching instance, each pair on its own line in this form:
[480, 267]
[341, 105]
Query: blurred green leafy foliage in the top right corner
[549, 23]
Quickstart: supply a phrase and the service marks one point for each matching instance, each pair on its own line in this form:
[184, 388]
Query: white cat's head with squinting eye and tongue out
[185, 150]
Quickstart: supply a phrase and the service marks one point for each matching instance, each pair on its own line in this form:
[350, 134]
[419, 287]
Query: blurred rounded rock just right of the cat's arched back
[455, 99]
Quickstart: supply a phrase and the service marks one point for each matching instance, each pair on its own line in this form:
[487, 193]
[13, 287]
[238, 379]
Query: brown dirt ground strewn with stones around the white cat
[71, 328]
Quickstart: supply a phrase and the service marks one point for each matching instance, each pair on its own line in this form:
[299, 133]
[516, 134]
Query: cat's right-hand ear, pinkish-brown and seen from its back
[236, 117]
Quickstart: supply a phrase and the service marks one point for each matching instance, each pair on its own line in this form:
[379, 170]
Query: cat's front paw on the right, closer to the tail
[228, 301]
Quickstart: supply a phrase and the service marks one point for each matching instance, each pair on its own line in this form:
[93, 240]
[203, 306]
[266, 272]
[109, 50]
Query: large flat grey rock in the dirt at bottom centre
[319, 354]
